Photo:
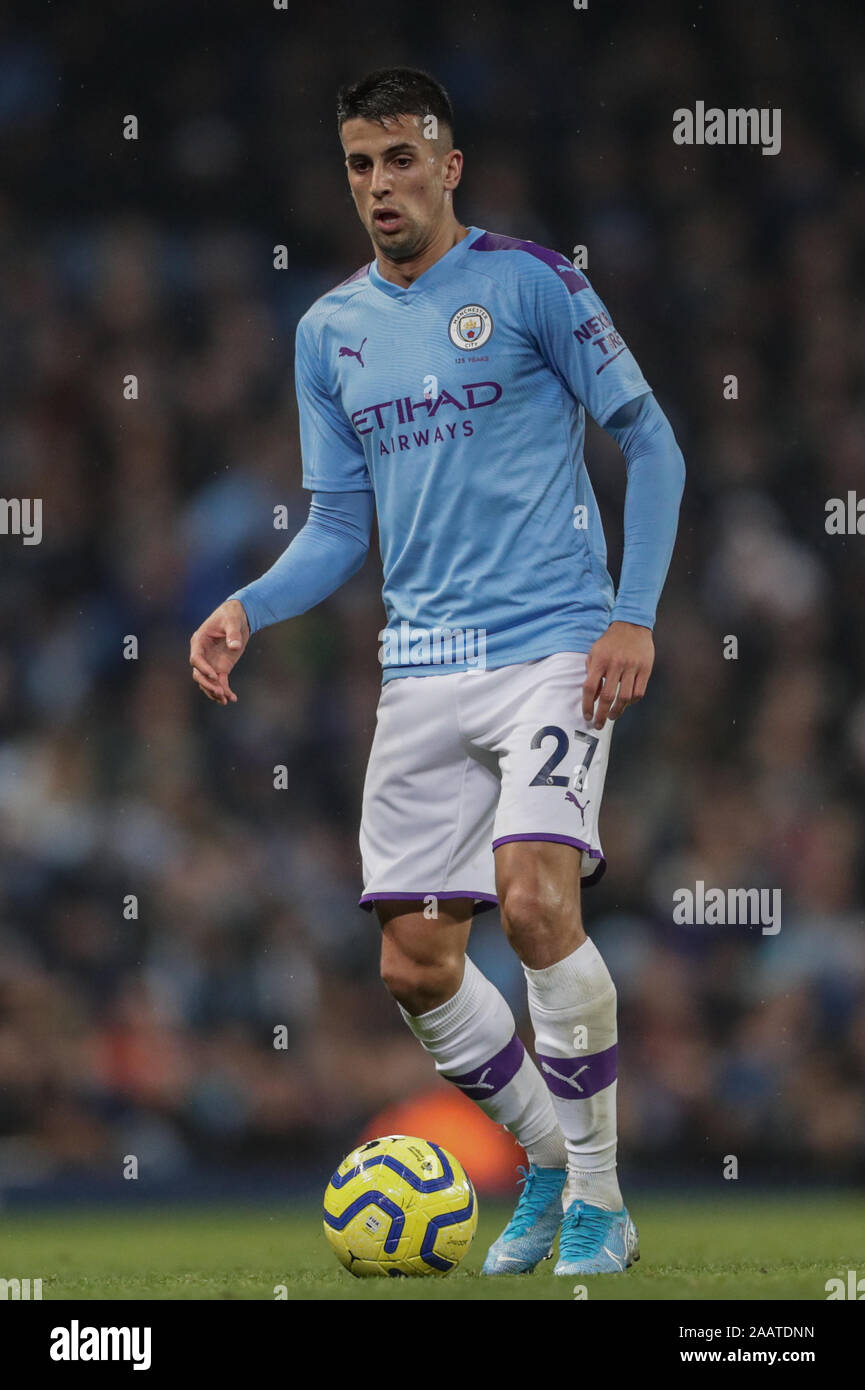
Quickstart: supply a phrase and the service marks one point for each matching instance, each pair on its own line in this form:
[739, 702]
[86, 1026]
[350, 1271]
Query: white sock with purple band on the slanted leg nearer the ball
[475, 1046]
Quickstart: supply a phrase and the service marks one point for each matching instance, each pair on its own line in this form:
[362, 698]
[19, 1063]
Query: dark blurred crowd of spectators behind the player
[148, 1029]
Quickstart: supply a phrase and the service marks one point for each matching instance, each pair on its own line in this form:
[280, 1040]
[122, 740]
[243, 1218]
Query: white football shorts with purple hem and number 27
[467, 762]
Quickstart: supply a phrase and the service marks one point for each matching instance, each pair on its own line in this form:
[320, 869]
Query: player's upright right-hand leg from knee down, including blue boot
[572, 1001]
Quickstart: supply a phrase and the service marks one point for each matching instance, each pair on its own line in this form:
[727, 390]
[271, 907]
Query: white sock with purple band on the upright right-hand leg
[574, 1013]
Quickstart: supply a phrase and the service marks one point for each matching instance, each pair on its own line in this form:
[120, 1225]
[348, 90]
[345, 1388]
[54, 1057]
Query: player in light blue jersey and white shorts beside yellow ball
[446, 386]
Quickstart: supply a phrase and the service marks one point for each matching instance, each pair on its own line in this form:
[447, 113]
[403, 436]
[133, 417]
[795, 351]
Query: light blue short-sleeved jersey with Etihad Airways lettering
[461, 402]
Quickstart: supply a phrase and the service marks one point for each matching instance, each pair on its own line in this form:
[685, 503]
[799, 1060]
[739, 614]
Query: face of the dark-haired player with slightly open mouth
[401, 181]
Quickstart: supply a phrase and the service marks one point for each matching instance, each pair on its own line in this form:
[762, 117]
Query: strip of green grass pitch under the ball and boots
[736, 1249]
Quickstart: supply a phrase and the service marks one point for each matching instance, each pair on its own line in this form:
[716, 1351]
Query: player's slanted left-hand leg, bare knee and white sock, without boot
[465, 1024]
